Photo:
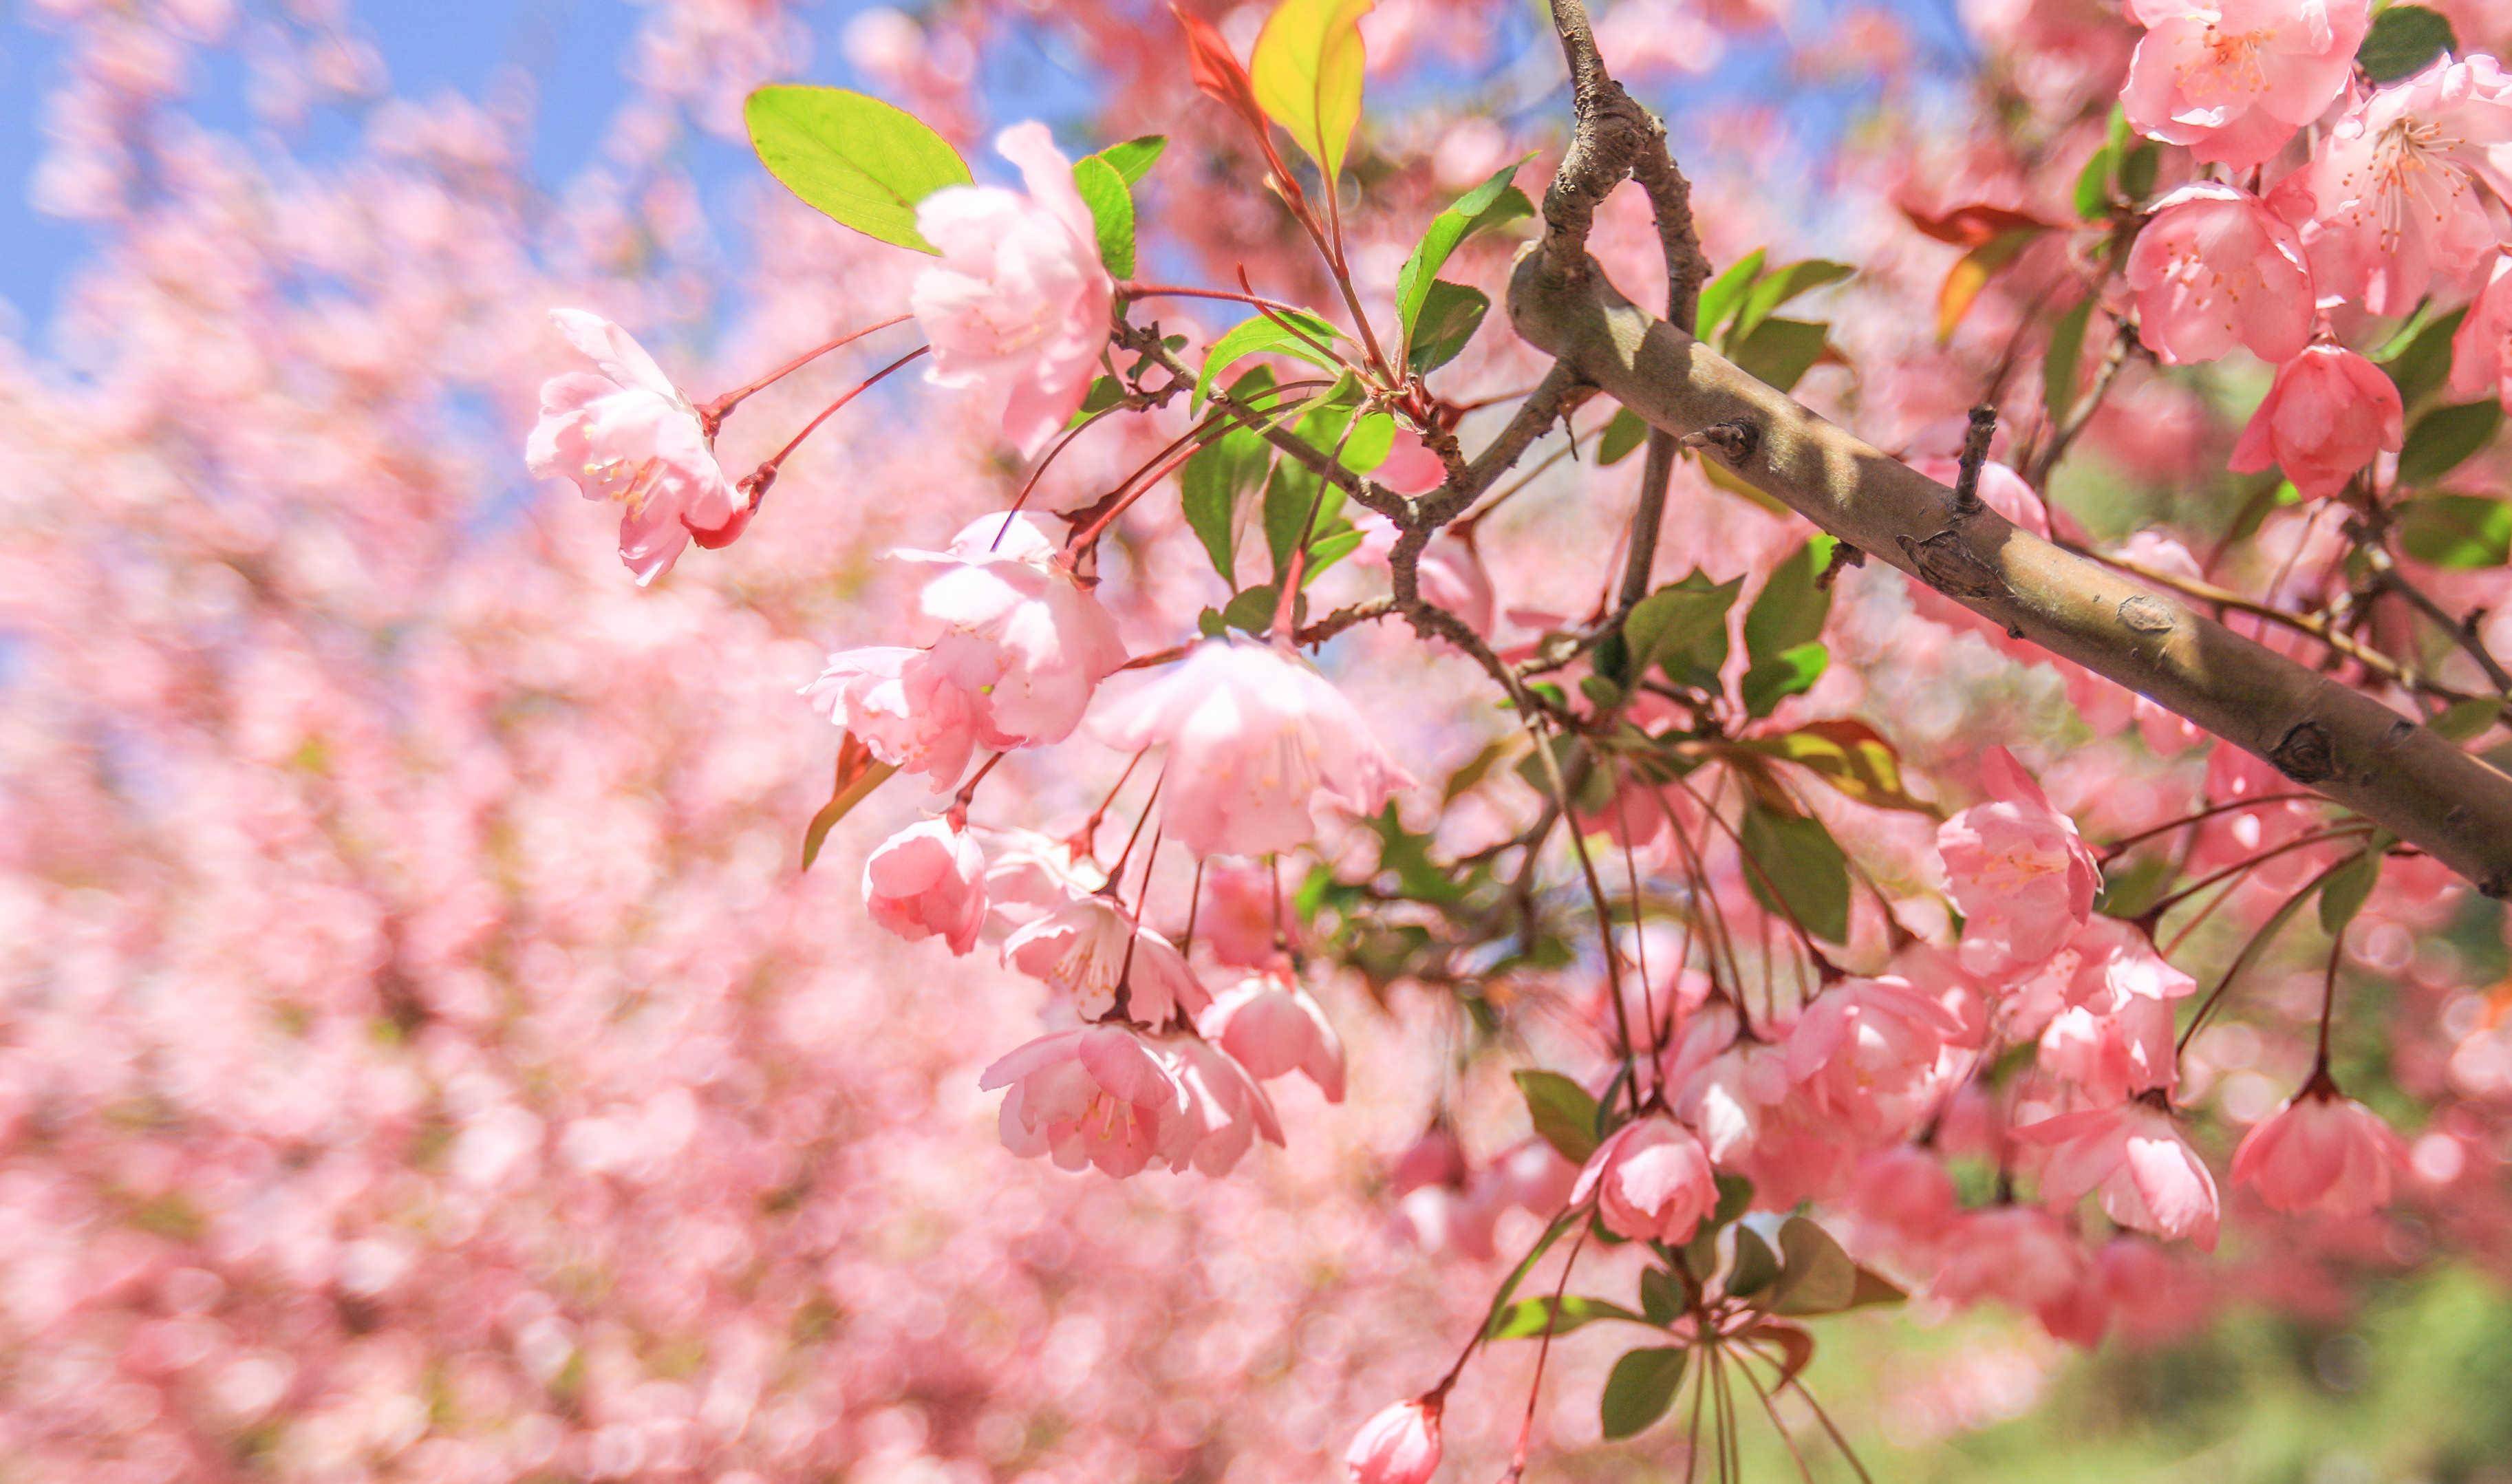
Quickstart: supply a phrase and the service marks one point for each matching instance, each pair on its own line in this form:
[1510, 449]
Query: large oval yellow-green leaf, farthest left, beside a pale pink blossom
[853, 157]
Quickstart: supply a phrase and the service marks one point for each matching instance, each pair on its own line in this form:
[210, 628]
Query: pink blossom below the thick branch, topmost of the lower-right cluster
[2018, 870]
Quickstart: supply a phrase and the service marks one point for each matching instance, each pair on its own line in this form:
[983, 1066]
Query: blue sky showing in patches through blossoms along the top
[574, 49]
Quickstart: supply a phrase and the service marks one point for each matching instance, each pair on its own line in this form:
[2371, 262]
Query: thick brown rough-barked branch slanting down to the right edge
[2315, 729]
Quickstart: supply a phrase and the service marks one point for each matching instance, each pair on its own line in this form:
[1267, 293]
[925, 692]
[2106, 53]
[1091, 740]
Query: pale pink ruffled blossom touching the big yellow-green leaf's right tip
[1019, 305]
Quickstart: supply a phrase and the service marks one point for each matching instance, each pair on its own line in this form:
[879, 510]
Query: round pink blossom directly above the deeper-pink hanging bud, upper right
[2214, 267]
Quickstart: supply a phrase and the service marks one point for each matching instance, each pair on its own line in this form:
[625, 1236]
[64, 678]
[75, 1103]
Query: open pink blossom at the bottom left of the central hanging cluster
[1096, 1096]
